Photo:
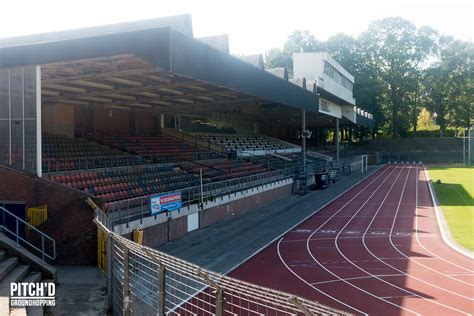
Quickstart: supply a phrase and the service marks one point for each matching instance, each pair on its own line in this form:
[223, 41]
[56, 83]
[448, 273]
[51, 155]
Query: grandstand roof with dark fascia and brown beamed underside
[178, 70]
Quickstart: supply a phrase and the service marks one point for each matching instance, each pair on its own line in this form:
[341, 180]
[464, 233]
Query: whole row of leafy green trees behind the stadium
[400, 71]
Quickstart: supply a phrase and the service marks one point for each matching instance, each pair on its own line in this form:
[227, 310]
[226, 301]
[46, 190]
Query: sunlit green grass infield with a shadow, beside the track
[455, 195]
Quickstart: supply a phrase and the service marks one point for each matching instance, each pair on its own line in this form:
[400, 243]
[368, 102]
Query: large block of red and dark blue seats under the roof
[166, 165]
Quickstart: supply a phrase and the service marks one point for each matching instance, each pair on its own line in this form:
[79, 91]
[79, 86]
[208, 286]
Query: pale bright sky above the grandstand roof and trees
[253, 26]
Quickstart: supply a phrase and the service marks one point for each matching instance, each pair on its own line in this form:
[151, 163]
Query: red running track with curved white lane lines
[377, 249]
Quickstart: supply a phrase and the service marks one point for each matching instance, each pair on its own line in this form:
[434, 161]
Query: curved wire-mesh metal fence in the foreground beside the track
[144, 281]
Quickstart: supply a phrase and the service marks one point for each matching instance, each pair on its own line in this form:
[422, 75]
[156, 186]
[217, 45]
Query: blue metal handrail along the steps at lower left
[19, 227]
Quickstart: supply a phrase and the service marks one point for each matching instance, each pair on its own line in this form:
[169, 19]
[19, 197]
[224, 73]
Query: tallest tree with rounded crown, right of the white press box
[397, 49]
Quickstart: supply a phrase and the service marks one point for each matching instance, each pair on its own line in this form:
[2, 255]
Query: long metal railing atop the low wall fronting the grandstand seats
[125, 211]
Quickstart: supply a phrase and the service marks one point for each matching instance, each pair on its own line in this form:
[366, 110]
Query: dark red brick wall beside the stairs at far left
[69, 217]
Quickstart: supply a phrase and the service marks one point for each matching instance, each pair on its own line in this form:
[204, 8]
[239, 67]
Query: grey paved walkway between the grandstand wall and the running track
[225, 245]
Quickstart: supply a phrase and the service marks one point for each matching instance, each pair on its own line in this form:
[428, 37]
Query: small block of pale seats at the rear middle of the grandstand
[245, 142]
